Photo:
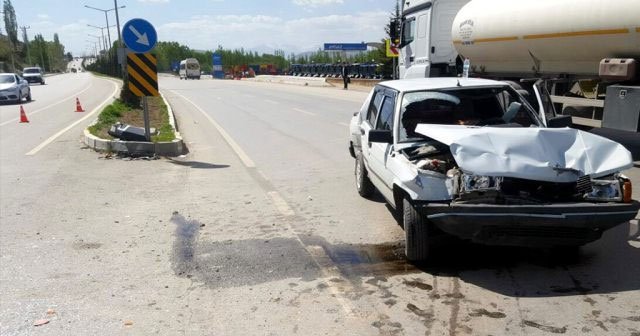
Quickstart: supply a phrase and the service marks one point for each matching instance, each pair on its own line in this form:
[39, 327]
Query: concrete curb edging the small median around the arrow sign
[173, 148]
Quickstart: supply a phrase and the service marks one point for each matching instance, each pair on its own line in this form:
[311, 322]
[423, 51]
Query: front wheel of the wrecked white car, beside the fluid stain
[416, 233]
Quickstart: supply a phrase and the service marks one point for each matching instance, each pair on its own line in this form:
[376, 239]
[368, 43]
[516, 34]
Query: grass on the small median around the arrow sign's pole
[125, 114]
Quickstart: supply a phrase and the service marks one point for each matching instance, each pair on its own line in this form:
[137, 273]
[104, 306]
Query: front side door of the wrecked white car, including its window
[379, 153]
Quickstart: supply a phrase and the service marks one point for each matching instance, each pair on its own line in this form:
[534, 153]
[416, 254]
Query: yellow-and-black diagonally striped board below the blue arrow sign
[143, 74]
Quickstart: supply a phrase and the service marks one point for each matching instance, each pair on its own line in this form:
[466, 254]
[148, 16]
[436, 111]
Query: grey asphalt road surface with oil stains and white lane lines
[258, 230]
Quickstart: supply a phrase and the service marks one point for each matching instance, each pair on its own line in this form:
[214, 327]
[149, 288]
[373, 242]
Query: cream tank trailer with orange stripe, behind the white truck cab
[588, 51]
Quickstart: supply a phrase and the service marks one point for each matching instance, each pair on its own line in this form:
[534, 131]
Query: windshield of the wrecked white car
[468, 106]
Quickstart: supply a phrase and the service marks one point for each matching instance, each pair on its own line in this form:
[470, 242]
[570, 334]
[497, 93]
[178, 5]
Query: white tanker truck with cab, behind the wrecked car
[588, 51]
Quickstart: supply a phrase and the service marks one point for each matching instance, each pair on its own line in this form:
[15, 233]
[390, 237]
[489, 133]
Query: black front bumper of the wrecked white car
[529, 225]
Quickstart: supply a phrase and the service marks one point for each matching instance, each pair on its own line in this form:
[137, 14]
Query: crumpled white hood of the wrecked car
[544, 154]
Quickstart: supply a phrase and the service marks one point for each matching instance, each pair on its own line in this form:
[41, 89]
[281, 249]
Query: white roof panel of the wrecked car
[414, 84]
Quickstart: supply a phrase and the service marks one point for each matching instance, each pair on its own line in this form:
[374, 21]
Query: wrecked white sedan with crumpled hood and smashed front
[472, 158]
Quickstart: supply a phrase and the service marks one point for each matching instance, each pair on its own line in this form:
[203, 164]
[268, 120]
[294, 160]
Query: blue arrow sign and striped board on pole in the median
[140, 36]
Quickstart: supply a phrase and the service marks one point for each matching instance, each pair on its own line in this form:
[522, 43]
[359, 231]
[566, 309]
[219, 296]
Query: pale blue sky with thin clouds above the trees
[294, 26]
